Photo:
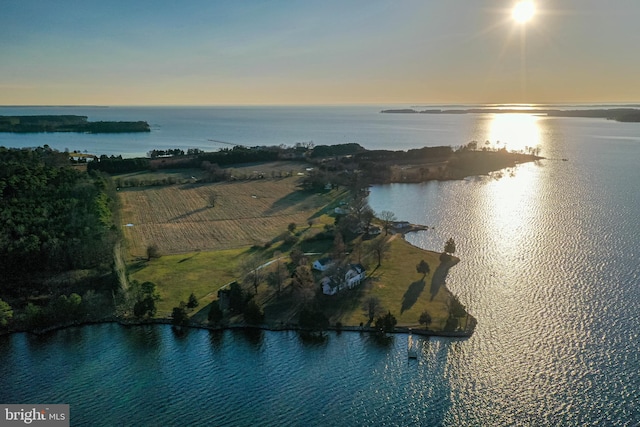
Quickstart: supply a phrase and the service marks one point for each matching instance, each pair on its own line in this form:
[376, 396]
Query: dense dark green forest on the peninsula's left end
[53, 218]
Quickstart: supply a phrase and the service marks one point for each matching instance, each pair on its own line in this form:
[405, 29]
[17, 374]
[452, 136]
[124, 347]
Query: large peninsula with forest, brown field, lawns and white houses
[234, 238]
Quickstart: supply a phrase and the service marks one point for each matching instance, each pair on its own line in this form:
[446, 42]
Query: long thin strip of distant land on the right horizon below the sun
[617, 114]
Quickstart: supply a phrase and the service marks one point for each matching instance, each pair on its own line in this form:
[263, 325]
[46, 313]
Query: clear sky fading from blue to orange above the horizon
[255, 52]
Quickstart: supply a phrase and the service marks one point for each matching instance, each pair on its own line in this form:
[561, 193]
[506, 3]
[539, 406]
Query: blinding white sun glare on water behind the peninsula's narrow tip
[515, 131]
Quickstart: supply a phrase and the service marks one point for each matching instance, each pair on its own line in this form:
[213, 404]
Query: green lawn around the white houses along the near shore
[396, 283]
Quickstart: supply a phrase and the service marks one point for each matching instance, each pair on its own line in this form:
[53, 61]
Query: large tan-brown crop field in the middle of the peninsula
[180, 218]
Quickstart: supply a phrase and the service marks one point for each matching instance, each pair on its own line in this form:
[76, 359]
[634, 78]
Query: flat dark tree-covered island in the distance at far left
[67, 123]
